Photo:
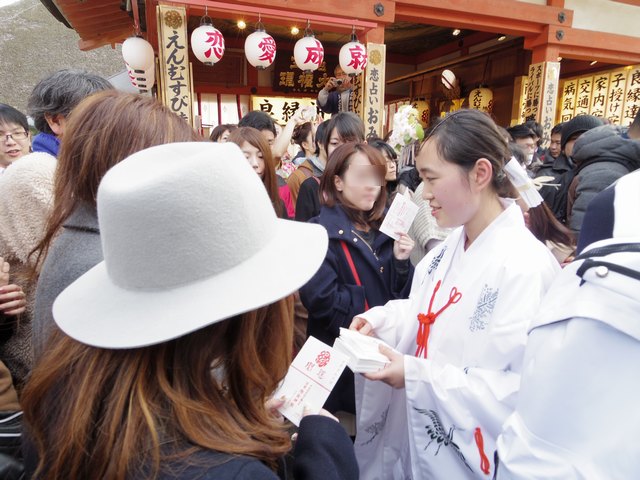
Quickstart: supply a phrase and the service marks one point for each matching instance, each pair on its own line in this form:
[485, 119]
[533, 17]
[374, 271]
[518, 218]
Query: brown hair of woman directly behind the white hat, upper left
[104, 129]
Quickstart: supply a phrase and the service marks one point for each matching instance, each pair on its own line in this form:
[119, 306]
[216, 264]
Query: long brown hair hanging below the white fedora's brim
[98, 413]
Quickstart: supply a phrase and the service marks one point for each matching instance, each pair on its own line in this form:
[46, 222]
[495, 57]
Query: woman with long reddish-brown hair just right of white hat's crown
[258, 153]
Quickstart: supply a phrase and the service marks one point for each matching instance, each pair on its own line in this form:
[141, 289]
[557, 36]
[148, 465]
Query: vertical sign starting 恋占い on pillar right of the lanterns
[373, 90]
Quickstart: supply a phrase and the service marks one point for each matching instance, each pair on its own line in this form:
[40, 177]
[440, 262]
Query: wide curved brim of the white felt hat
[122, 318]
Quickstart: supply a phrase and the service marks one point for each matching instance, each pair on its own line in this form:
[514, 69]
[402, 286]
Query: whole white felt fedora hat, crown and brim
[190, 238]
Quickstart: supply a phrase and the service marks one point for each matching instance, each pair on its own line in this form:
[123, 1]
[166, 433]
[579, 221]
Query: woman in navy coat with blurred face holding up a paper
[363, 267]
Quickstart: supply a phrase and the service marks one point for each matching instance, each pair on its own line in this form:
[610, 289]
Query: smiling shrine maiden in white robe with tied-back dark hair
[436, 410]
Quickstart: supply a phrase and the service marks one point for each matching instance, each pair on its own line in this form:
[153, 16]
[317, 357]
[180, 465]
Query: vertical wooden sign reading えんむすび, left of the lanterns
[174, 60]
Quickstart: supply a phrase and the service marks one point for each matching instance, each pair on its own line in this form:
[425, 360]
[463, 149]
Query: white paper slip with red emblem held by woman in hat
[310, 379]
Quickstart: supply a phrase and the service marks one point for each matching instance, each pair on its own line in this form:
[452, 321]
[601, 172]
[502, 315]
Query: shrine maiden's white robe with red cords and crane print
[445, 422]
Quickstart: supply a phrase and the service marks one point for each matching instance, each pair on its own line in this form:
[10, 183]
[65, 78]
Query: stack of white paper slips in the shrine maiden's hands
[362, 351]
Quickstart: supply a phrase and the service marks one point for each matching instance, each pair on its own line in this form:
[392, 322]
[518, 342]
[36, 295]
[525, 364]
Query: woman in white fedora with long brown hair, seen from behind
[169, 351]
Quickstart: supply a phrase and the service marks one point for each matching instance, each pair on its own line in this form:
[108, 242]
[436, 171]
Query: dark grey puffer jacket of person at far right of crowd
[602, 156]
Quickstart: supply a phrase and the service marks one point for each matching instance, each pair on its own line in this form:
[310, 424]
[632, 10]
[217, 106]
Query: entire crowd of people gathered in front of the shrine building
[155, 286]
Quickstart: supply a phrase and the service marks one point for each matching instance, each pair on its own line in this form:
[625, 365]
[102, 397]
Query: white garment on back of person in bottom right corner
[577, 415]
